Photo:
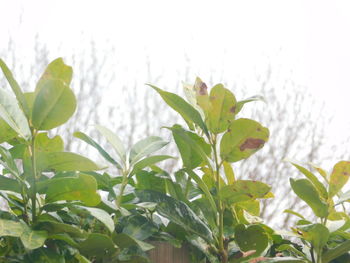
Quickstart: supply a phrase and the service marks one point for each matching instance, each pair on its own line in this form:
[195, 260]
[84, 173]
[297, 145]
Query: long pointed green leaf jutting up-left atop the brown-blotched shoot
[187, 112]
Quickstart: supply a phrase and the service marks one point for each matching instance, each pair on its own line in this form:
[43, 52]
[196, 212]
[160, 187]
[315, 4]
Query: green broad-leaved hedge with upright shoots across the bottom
[63, 207]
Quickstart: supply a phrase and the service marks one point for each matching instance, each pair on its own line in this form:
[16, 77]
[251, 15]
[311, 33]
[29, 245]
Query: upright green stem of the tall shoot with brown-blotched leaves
[220, 222]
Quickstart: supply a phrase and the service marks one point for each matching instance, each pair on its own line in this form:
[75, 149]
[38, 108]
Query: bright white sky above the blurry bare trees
[308, 41]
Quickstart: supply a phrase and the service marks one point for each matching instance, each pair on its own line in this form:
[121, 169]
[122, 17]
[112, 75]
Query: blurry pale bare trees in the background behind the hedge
[296, 129]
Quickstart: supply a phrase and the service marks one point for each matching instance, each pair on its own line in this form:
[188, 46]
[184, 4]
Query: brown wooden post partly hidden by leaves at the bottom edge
[166, 253]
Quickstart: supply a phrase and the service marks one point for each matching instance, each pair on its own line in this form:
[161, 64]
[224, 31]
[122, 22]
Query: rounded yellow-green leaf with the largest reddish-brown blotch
[243, 138]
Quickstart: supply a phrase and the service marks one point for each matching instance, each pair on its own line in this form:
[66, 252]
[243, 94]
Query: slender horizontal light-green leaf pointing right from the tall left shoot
[67, 161]
